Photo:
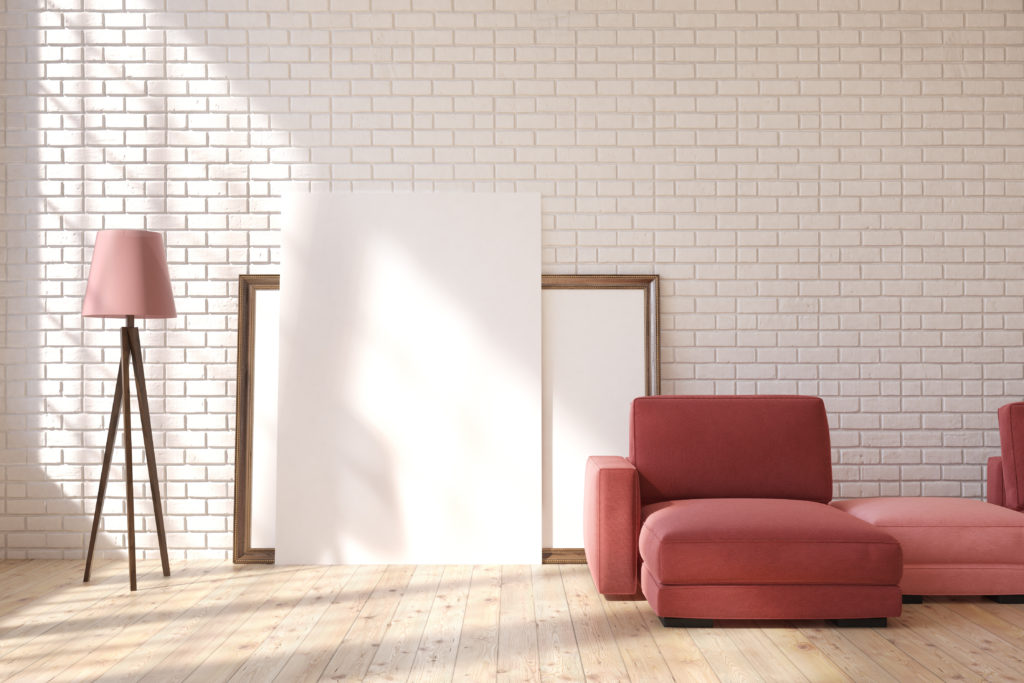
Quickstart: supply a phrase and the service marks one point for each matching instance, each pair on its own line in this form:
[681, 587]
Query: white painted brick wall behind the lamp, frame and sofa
[832, 191]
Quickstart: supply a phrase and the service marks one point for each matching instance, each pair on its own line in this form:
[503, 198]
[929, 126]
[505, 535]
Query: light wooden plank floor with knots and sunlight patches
[219, 622]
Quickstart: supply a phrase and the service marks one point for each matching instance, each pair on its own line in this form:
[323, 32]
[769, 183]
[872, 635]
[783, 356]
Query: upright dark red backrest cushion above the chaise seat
[732, 447]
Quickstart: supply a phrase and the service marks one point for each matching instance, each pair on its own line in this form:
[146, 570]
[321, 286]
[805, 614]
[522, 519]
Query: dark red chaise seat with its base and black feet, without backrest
[766, 559]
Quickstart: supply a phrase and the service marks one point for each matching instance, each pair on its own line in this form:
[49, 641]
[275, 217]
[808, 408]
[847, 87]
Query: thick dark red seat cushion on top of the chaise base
[764, 541]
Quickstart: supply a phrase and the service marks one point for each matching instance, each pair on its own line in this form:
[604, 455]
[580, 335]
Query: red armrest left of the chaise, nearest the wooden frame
[612, 525]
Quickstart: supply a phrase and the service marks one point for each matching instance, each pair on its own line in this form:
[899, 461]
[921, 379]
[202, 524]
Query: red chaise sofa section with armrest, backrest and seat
[721, 513]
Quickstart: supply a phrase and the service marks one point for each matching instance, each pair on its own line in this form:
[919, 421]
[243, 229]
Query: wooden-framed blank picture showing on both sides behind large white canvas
[601, 341]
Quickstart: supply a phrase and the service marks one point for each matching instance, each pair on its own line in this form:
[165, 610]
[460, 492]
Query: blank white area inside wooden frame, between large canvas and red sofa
[594, 367]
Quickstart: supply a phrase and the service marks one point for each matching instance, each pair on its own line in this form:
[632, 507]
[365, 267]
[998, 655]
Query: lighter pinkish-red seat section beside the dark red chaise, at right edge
[952, 546]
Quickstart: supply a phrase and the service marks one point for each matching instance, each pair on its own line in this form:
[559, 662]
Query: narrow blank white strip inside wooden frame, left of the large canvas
[265, 437]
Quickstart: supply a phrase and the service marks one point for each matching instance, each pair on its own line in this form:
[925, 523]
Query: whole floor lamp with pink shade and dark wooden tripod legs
[129, 279]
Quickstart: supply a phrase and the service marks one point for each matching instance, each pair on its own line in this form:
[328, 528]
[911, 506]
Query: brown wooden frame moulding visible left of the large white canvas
[250, 287]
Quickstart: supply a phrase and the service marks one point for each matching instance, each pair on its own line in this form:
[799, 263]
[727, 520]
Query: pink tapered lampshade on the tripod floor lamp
[129, 277]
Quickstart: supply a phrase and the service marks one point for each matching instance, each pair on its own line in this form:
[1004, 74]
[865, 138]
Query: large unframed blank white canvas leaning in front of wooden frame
[410, 397]
